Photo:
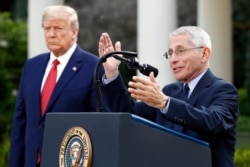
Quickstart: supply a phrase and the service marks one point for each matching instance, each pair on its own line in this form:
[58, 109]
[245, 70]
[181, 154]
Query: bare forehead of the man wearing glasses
[178, 41]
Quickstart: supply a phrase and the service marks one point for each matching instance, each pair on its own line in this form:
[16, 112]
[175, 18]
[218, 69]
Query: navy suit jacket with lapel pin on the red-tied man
[74, 92]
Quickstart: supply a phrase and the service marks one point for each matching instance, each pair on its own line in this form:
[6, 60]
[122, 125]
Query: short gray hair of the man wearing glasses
[198, 36]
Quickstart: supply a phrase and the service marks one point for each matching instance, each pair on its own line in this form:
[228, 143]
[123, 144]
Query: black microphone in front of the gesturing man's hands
[133, 63]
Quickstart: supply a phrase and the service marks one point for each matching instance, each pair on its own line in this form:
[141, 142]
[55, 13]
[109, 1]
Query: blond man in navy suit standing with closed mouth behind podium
[73, 92]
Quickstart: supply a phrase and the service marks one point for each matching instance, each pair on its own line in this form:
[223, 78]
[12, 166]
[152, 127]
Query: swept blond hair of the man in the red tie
[61, 12]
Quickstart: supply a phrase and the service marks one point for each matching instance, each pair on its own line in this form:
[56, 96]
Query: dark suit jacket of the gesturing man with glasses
[210, 114]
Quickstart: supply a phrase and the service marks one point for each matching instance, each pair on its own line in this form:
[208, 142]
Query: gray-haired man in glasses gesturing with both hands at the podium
[208, 112]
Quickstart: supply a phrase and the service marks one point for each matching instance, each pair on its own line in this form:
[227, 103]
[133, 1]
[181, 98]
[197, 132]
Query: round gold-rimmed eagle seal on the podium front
[76, 149]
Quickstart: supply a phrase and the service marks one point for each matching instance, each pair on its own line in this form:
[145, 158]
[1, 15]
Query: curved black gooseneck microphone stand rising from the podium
[97, 80]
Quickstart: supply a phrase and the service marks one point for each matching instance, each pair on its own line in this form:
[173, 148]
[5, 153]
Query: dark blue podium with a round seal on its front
[121, 140]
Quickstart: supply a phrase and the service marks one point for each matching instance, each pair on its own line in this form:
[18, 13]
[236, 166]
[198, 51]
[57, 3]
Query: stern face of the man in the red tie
[59, 36]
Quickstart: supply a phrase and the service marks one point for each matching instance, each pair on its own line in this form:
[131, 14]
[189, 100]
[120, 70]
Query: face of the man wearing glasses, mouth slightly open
[186, 61]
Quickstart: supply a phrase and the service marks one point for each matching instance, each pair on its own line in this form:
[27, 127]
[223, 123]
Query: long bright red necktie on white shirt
[49, 86]
